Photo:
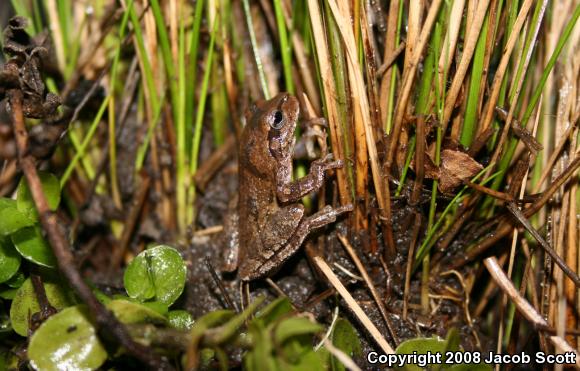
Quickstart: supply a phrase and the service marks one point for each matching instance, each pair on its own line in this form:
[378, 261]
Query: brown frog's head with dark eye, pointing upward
[280, 114]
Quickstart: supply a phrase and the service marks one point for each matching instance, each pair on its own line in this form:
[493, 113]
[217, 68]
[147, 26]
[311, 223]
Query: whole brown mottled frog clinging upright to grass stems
[270, 224]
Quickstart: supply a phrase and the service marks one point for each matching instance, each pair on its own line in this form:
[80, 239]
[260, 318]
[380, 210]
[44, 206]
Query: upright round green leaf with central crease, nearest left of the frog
[157, 273]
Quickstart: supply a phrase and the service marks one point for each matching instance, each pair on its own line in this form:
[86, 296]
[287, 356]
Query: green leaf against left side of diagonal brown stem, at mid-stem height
[32, 246]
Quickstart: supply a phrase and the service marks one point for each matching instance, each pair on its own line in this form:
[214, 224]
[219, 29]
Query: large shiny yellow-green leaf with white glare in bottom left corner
[67, 341]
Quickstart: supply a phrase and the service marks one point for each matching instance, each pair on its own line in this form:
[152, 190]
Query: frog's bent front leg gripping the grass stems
[289, 191]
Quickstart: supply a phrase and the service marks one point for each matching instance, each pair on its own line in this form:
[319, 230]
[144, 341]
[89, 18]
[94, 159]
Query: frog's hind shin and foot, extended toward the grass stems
[275, 258]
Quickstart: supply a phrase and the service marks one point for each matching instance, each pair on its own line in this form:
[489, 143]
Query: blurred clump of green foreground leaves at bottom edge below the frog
[274, 339]
